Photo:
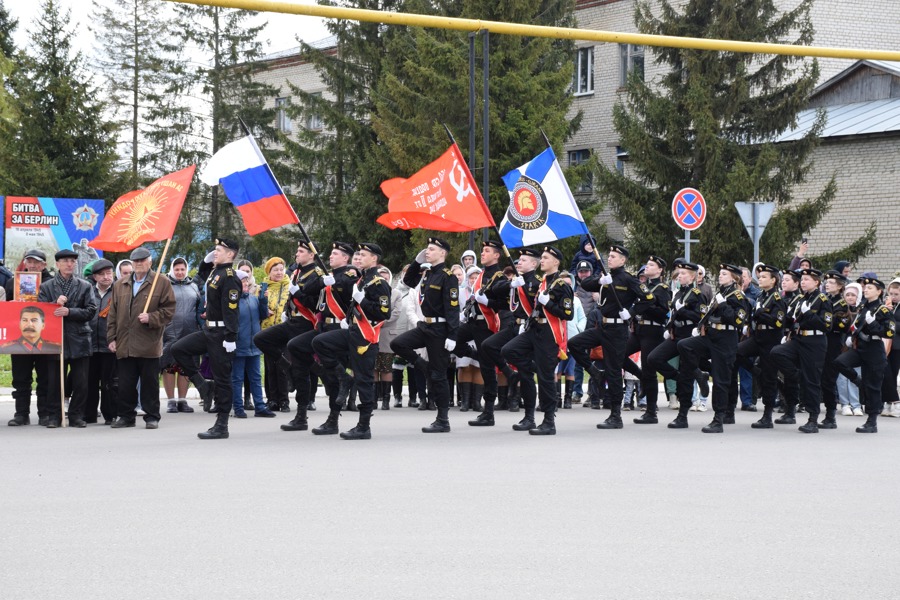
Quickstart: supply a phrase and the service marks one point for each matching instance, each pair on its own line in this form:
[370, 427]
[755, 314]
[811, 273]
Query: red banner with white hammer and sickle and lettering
[442, 196]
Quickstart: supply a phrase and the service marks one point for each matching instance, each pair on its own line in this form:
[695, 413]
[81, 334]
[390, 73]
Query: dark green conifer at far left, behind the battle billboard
[62, 145]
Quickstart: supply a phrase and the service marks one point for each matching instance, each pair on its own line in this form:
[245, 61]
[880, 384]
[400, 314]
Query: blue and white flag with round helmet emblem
[541, 206]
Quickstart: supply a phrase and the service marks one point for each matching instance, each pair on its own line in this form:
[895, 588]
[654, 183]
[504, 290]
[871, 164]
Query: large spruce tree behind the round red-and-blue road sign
[710, 122]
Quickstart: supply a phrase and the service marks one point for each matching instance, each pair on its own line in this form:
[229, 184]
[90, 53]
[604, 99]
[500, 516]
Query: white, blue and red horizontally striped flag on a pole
[248, 182]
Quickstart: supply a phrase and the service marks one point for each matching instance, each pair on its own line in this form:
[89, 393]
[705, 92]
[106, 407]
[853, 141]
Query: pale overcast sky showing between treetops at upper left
[280, 33]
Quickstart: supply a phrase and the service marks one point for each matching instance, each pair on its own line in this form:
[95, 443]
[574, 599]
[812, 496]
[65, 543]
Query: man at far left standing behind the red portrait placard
[23, 365]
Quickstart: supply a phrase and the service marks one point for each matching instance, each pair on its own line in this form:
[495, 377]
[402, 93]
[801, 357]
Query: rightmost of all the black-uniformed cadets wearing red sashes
[542, 343]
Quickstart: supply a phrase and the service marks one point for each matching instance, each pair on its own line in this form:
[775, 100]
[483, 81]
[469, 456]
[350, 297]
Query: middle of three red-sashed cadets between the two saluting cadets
[334, 300]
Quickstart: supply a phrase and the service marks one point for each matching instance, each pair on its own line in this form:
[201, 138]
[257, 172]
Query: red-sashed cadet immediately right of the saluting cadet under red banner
[483, 321]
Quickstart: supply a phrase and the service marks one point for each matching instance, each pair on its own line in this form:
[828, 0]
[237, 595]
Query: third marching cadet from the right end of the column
[802, 355]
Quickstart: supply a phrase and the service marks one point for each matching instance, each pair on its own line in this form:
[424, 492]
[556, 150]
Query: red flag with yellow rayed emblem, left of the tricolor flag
[147, 215]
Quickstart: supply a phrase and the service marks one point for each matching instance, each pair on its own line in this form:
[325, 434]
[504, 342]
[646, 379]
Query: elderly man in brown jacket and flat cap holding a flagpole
[135, 325]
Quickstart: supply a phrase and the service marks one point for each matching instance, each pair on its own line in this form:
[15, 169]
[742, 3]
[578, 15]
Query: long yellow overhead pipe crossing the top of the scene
[641, 39]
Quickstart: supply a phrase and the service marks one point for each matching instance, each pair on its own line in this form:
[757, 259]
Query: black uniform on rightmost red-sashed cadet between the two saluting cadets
[339, 346]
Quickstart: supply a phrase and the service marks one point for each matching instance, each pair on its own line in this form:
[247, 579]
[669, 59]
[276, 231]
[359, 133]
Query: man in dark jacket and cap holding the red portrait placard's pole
[77, 305]
